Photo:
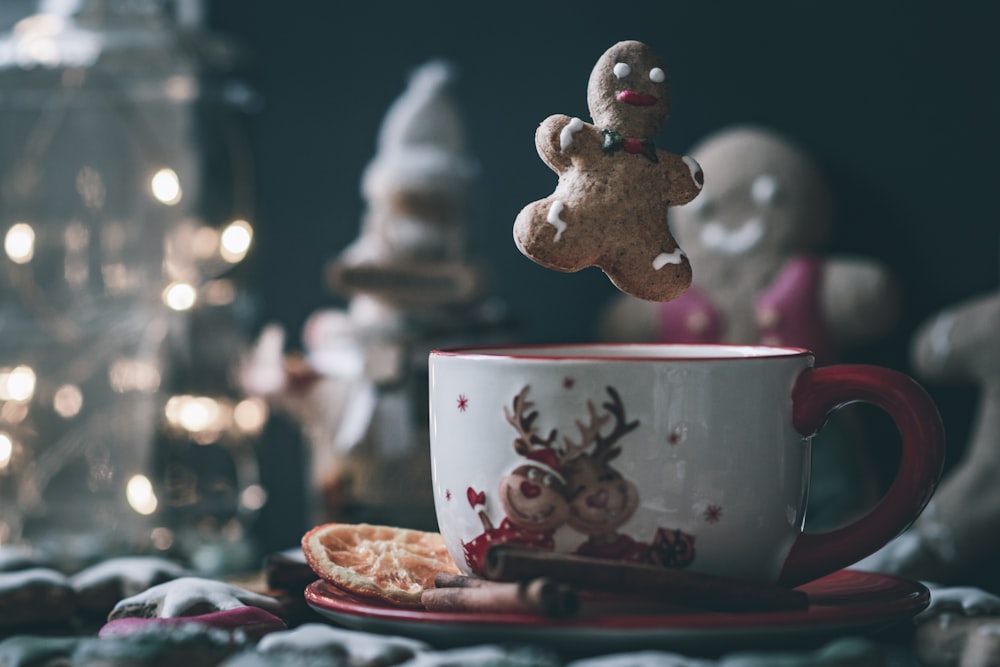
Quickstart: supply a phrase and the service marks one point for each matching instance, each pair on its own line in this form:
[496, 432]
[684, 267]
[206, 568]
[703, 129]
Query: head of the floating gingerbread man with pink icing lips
[629, 91]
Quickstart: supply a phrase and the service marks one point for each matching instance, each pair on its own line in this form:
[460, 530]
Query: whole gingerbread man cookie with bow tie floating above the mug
[609, 208]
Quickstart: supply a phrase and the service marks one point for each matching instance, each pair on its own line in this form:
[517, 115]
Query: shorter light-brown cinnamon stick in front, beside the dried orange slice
[467, 594]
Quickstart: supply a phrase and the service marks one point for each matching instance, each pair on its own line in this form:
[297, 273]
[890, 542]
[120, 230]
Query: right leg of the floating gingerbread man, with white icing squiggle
[654, 269]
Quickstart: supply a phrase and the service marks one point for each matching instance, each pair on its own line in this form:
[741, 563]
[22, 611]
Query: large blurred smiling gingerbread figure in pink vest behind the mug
[754, 237]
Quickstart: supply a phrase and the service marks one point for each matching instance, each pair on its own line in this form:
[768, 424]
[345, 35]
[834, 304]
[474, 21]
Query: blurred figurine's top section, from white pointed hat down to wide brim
[412, 247]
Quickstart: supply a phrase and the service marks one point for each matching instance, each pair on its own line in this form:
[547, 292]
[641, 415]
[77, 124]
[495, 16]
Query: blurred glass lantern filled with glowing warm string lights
[98, 247]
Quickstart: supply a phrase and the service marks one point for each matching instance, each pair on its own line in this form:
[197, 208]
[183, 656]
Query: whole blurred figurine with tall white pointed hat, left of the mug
[359, 389]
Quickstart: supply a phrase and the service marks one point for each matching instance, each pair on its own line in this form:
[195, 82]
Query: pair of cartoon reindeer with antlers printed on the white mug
[572, 486]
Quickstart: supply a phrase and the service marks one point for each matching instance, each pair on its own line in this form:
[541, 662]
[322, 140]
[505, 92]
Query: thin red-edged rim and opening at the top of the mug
[625, 352]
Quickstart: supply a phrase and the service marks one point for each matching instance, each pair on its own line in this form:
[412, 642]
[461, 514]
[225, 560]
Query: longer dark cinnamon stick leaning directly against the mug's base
[690, 589]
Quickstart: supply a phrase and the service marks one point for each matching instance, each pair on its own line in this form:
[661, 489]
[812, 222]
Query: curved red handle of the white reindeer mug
[819, 392]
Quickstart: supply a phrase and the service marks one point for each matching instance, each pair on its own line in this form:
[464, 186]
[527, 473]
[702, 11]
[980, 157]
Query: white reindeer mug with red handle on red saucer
[682, 456]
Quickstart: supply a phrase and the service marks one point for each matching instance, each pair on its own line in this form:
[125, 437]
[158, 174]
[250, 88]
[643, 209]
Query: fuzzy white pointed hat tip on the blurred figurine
[421, 144]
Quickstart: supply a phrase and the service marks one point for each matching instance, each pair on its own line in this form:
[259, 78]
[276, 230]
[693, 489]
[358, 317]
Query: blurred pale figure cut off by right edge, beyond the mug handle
[956, 541]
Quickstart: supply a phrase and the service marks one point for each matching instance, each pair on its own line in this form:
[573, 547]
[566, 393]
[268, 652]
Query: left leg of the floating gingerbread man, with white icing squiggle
[550, 233]
